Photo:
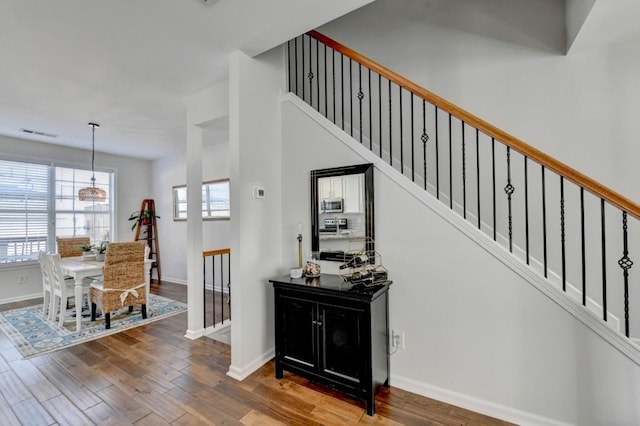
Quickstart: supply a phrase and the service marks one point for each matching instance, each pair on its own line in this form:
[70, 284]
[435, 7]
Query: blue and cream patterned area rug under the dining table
[32, 334]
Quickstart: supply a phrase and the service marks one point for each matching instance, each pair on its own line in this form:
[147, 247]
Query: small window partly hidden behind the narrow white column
[215, 200]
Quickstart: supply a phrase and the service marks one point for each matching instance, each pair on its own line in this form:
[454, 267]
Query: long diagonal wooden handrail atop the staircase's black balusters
[516, 144]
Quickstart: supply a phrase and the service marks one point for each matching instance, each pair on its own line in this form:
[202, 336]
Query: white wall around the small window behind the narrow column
[172, 237]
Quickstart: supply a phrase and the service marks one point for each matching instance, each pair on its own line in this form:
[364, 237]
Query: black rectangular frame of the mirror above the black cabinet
[367, 170]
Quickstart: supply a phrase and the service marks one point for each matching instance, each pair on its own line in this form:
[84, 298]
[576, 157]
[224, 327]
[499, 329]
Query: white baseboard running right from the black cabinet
[474, 404]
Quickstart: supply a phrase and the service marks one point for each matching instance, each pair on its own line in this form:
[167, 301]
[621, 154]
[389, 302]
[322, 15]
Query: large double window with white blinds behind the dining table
[39, 201]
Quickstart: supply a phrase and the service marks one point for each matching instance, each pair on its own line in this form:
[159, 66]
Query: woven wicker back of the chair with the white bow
[124, 265]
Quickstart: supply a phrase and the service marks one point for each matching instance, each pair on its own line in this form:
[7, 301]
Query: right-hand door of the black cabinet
[342, 356]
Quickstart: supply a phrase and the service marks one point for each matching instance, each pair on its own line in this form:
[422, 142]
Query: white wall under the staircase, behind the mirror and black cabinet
[488, 341]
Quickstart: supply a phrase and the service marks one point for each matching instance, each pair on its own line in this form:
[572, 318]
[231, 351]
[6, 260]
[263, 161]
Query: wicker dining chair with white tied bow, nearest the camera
[123, 281]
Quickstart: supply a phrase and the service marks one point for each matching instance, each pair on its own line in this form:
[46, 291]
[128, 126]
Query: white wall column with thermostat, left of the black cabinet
[255, 86]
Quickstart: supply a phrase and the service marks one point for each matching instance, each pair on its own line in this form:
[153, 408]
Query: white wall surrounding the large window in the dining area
[132, 185]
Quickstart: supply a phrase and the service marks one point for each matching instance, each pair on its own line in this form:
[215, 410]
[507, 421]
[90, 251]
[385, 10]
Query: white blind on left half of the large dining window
[24, 210]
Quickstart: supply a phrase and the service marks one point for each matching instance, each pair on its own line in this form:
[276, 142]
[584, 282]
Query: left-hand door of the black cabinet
[298, 328]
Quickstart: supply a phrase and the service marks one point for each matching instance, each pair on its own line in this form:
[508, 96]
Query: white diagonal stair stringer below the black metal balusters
[616, 339]
